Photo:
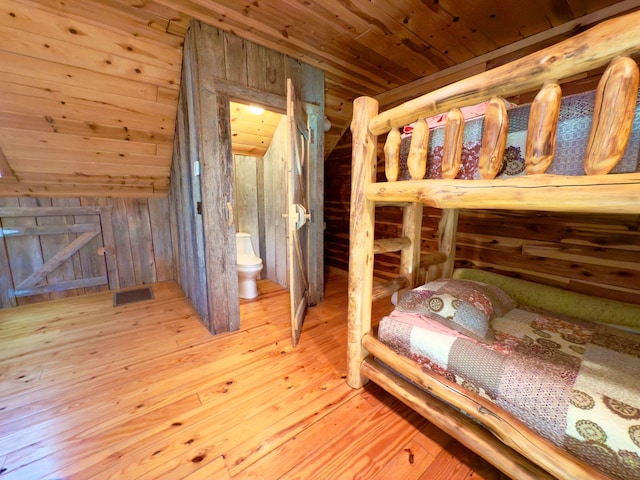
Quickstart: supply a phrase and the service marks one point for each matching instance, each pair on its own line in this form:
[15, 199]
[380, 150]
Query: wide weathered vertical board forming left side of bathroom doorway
[216, 180]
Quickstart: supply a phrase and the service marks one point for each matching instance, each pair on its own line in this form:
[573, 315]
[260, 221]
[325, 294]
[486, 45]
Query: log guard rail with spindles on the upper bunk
[611, 44]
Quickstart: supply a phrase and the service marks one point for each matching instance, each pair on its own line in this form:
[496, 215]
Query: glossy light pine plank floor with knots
[142, 391]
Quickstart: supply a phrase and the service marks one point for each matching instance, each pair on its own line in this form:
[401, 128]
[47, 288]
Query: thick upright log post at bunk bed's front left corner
[361, 234]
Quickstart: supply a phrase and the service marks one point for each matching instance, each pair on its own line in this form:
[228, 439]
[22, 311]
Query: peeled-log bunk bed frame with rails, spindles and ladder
[475, 419]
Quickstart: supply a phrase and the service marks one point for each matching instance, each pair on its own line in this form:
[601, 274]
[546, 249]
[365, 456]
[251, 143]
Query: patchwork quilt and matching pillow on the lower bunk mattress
[573, 382]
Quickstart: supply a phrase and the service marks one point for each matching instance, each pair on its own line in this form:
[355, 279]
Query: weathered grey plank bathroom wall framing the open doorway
[219, 67]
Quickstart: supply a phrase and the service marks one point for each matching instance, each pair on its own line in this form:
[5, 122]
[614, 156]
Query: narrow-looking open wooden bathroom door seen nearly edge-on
[298, 214]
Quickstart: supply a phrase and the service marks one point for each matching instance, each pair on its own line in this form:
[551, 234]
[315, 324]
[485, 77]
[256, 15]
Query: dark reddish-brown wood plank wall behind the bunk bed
[589, 253]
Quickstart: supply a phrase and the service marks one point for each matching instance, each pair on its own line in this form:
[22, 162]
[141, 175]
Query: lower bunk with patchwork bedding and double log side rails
[538, 394]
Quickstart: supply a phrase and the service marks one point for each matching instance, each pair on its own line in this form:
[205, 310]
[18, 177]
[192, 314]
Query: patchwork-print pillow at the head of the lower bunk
[464, 305]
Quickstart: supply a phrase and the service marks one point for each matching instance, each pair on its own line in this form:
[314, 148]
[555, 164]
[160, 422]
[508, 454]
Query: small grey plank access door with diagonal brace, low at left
[20, 252]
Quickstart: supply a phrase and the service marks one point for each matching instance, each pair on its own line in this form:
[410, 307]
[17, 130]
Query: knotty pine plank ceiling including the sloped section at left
[88, 88]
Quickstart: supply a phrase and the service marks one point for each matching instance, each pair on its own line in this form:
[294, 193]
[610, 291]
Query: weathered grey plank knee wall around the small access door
[144, 251]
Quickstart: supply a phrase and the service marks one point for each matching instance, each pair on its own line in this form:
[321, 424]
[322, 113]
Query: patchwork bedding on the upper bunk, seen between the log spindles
[574, 124]
